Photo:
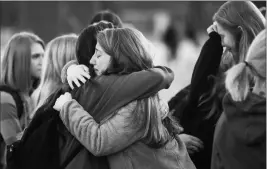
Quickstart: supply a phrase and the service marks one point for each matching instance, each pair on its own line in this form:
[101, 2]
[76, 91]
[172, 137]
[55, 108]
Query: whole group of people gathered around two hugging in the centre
[114, 109]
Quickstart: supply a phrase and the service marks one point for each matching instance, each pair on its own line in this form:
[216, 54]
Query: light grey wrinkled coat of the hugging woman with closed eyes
[117, 138]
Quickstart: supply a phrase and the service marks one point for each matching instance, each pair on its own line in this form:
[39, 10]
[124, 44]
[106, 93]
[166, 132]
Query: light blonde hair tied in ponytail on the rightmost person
[254, 68]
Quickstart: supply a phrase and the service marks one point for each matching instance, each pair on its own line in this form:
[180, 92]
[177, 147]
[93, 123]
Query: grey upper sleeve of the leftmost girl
[10, 125]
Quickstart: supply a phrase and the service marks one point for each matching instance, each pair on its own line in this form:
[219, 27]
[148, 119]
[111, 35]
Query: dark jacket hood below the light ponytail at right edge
[246, 119]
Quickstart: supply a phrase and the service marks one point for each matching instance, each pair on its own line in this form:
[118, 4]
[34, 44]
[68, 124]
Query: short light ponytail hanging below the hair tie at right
[237, 81]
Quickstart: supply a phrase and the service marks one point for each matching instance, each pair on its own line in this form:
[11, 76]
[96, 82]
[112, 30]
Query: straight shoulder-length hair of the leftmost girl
[16, 61]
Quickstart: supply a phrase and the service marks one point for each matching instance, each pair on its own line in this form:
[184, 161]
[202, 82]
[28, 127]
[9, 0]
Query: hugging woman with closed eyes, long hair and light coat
[141, 130]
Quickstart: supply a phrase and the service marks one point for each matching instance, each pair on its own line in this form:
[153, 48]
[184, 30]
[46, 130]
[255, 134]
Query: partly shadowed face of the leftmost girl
[37, 53]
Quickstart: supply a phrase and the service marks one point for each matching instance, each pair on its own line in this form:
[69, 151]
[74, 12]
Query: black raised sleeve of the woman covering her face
[207, 64]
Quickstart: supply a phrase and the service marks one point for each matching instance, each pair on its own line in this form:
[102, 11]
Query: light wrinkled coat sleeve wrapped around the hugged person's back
[109, 137]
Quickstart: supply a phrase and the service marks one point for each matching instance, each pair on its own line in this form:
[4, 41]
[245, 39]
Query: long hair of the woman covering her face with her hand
[244, 21]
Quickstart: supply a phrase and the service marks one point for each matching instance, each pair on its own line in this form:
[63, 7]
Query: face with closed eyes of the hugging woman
[100, 60]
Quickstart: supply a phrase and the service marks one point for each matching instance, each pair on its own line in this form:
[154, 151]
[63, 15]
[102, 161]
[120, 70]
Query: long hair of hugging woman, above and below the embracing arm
[130, 51]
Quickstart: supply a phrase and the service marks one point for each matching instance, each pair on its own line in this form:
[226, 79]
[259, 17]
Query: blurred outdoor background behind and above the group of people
[176, 28]
